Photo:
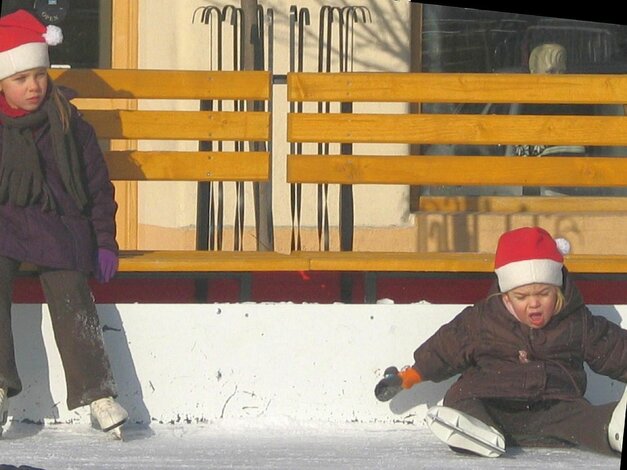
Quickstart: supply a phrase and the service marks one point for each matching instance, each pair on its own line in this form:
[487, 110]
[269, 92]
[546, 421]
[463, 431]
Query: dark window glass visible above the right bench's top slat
[468, 40]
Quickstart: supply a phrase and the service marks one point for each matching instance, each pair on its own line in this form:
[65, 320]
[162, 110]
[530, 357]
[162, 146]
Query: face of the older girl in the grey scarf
[26, 90]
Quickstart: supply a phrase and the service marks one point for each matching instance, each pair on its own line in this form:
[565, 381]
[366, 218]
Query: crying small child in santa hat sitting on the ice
[521, 354]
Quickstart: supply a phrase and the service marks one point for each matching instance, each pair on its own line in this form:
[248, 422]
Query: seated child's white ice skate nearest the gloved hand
[462, 431]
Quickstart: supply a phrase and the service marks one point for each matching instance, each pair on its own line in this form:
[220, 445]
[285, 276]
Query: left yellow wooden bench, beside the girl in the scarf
[103, 98]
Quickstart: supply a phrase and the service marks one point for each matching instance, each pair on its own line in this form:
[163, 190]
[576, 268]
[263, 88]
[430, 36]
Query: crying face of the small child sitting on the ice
[533, 304]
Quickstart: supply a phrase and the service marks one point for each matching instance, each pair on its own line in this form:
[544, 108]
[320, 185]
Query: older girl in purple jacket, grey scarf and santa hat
[56, 212]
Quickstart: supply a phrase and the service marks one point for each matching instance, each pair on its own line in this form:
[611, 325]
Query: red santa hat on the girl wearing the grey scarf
[24, 43]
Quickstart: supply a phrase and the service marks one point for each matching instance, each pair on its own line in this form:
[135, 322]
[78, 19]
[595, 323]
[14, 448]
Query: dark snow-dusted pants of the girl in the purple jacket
[76, 330]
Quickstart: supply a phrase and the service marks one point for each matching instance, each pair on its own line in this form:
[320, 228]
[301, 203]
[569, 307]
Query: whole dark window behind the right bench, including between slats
[474, 41]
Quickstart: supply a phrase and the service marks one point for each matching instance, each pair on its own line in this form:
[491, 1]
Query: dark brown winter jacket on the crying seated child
[500, 357]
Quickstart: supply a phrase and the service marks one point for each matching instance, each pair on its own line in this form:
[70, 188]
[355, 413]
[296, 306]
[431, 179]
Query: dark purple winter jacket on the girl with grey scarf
[64, 238]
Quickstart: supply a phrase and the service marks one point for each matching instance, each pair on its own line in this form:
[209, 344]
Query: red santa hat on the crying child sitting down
[529, 255]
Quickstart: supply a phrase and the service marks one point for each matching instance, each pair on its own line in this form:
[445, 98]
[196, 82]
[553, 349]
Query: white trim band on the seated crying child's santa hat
[529, 271]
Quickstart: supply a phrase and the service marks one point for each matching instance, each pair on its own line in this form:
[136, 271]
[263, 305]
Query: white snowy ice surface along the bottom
[261, 444]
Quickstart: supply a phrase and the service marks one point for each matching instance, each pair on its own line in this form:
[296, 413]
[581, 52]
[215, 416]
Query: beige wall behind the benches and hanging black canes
[169, 40]
